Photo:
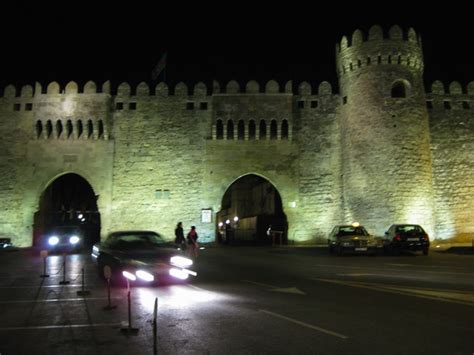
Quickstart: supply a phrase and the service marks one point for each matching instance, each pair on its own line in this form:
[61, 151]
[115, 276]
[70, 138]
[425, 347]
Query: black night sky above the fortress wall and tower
[232, 40]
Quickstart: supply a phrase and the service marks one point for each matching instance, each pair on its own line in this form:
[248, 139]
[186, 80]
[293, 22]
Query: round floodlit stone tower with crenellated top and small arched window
[386, 159]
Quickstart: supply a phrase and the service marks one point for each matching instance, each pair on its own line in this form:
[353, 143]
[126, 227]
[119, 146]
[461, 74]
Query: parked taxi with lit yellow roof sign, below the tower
[353, 238]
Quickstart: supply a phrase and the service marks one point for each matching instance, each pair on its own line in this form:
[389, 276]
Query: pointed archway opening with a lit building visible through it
[248, 207]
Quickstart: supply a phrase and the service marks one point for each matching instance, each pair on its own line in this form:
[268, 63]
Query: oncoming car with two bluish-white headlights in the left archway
[63, 239]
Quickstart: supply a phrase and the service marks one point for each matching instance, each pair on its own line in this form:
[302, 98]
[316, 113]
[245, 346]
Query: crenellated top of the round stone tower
[397, 48]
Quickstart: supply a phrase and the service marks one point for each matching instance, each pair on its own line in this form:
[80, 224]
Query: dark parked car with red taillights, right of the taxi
[400, 237]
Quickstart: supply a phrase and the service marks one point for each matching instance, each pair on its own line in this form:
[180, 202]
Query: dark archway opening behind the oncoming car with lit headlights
[68, 201]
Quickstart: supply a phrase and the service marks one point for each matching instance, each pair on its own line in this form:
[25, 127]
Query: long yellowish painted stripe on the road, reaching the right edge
[453, 296]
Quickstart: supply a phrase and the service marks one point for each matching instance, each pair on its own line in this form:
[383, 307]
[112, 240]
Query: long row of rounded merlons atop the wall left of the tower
[162, 89]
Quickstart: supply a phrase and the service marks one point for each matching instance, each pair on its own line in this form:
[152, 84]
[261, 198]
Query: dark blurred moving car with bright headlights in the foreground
[144, 254]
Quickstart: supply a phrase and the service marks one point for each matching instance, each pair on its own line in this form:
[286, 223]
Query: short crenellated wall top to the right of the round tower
[450, 97]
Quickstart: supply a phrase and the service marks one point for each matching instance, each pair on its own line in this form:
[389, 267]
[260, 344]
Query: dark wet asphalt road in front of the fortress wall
[245, 301]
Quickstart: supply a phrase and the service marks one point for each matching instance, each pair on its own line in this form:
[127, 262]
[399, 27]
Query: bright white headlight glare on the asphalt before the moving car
[176, 296]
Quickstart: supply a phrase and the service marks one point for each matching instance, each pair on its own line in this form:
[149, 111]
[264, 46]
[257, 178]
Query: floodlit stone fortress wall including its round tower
[156, 155]
